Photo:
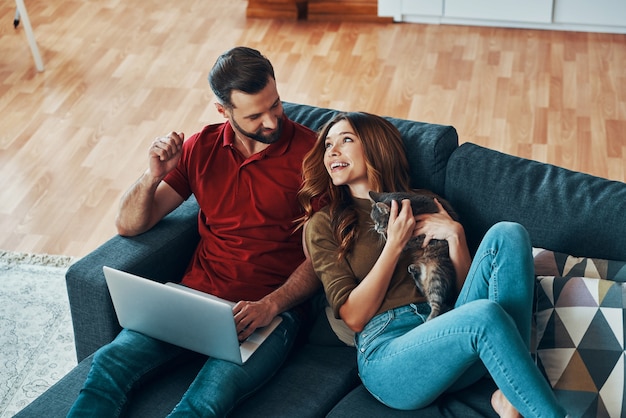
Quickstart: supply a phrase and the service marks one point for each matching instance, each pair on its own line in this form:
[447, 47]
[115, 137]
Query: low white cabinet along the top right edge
[576, 15]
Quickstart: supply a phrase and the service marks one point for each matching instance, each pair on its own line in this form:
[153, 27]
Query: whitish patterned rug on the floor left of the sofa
[36, 336]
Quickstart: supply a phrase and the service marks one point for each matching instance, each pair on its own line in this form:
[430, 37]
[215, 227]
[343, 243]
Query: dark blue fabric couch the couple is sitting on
[568, 214]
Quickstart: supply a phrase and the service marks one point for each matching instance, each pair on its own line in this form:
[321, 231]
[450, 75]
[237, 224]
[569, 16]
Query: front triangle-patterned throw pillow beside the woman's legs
[580, 342]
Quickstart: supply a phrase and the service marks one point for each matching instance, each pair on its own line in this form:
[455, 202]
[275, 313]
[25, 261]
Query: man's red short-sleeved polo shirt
[248, 243]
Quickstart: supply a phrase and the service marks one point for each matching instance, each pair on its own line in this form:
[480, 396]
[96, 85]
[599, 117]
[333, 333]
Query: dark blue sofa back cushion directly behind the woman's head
[428, 146]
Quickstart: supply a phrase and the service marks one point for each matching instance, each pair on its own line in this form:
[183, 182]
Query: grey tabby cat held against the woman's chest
[431, 268]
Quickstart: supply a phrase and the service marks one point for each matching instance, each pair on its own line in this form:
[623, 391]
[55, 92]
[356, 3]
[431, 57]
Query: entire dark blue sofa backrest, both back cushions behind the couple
[564, 211]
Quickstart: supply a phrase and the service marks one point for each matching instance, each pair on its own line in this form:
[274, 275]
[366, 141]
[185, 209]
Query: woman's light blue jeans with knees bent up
[407, 363]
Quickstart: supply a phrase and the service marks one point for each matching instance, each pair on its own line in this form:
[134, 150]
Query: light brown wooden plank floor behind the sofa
[118, 73]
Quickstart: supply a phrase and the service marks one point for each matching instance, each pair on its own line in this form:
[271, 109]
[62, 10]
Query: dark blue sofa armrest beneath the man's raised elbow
[160, 254]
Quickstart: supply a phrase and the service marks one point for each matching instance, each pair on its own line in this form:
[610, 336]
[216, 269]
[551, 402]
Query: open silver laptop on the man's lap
[181, 316]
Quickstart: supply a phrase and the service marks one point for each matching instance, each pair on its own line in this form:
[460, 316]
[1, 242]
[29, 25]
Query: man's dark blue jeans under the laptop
[218, 387]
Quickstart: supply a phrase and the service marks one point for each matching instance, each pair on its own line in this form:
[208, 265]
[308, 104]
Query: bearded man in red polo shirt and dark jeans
[245, 174]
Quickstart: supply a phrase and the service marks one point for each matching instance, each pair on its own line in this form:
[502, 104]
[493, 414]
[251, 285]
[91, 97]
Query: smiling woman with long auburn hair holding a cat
[368, 286]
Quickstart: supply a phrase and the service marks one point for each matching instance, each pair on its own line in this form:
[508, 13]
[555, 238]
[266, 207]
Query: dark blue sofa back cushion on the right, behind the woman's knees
[564, 211]
